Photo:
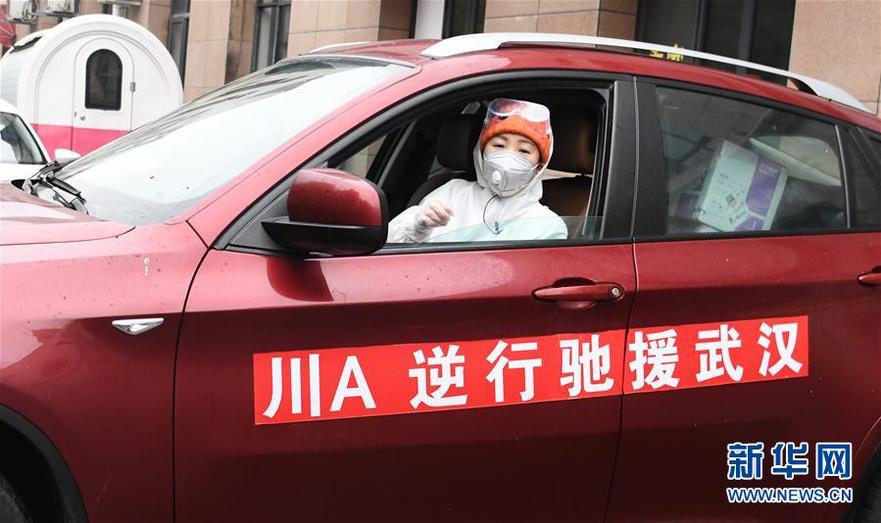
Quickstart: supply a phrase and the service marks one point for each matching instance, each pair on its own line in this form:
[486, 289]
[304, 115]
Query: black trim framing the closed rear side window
[647, 204]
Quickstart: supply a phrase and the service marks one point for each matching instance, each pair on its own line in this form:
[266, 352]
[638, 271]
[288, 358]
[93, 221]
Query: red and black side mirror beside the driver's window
[331, 212]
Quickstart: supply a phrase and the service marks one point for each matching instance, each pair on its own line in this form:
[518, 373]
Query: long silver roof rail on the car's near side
[488, 41]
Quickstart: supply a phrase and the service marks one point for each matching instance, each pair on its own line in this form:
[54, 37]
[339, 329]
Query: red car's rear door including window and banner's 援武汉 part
[763, 333]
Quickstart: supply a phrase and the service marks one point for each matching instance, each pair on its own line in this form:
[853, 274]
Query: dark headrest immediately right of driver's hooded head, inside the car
[574, 139]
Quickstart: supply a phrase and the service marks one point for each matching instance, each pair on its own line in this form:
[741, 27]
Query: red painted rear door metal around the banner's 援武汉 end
[672, 457]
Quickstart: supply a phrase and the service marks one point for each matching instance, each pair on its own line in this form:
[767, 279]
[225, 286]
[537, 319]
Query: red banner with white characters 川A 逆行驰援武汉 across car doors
[306, 385]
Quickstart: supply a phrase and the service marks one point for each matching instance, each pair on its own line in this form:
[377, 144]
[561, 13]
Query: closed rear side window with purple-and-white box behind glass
[735, 166]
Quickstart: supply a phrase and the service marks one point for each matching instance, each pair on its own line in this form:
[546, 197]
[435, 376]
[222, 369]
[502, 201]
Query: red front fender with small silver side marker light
[104, 398]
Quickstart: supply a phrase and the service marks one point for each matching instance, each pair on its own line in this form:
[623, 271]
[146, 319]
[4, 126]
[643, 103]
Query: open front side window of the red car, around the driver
[430, 143]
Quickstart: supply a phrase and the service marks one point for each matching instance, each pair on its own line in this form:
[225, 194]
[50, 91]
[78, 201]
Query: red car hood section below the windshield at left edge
[28, 219]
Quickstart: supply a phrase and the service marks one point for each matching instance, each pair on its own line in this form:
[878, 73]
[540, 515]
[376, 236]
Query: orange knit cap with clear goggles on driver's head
[527, 119]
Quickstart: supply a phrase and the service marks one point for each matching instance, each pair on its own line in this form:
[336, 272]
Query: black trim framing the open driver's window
[416, 105]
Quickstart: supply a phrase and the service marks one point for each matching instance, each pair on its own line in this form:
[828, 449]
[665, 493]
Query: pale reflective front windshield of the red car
[162, 169]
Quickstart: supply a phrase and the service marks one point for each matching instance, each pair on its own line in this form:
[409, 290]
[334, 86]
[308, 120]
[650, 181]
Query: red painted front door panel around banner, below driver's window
[538, 462]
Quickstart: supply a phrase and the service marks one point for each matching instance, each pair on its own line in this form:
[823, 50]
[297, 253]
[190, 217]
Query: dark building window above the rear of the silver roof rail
[759, 32]
